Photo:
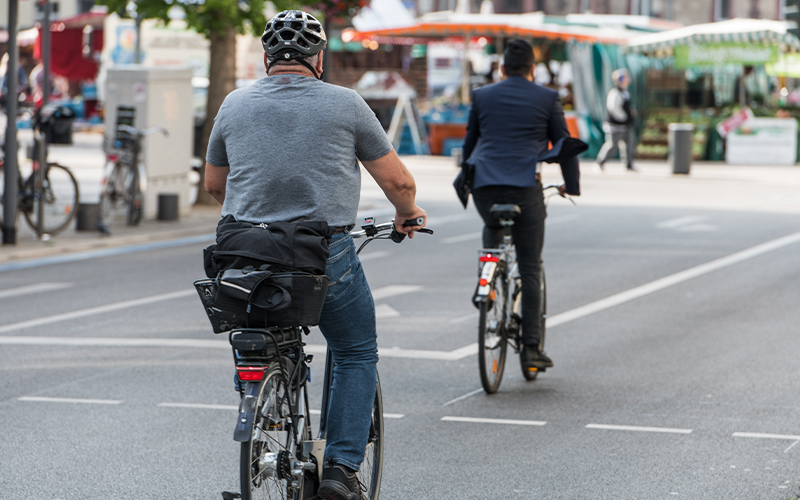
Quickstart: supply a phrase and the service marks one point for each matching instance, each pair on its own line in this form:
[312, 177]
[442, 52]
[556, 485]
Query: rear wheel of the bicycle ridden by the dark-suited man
[492, 344]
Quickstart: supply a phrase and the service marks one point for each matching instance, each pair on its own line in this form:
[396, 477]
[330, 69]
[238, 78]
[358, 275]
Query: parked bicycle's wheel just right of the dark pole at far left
[61, 197]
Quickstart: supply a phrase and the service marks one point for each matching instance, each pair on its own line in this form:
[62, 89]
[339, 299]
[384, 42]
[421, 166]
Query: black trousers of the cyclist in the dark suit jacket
[528, 234]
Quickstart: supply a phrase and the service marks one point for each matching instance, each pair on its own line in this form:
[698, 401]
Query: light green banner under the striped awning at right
[687, 56]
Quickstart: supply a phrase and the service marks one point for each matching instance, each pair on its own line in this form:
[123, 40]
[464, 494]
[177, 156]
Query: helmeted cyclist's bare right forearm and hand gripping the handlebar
[399, 187]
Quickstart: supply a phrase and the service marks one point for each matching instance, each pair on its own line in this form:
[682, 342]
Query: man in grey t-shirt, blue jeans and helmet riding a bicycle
[287, 149]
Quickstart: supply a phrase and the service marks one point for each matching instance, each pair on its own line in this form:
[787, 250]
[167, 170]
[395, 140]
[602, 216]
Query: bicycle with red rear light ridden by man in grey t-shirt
[279, 458]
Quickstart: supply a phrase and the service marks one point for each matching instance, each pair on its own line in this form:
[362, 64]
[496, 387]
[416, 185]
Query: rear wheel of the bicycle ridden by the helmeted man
[265, 465]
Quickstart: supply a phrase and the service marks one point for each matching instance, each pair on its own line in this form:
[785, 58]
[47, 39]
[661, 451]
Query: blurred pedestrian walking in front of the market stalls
[618, 126]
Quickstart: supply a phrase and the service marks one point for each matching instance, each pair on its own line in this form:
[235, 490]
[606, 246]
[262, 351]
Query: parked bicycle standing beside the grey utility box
[125, 179]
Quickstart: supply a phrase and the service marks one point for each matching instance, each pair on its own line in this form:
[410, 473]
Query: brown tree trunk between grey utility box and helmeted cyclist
[221, 82]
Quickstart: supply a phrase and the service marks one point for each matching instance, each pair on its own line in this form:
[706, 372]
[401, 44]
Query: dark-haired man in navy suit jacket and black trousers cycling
[510, 125]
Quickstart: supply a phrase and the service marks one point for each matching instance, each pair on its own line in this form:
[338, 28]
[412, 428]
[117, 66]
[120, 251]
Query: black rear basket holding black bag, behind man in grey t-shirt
[265, 275]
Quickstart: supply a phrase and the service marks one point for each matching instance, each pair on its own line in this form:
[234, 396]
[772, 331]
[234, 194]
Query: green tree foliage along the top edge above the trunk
[206, 16]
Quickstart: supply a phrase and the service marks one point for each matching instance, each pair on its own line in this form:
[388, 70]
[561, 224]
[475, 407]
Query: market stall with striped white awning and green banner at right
[707, 72]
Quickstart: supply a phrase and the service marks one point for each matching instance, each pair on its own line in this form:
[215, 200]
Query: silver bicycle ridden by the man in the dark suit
[499, 319]
